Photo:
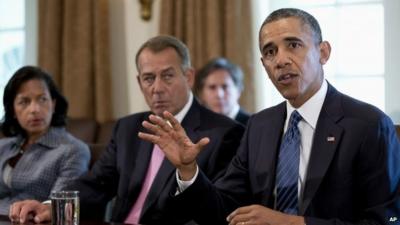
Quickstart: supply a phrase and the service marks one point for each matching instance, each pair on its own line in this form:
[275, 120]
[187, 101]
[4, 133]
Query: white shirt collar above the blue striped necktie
[310, 109]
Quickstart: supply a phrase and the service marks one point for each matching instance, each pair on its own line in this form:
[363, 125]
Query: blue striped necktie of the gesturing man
[288, 168]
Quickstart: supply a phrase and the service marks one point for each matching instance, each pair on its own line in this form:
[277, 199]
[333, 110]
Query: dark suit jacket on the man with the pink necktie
[121, 170]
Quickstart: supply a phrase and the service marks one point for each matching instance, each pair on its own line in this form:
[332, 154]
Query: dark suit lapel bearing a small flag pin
[327, 137]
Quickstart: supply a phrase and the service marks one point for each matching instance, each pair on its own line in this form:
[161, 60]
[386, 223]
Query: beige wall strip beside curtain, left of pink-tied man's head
[128, 32]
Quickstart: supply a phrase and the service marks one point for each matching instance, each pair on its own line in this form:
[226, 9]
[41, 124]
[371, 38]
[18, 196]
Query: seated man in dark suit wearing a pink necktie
[165, 78]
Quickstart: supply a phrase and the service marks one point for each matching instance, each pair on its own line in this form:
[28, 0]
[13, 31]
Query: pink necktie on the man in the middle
[156, 159]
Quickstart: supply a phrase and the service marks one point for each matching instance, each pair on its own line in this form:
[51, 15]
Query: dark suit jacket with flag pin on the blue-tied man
[352, 177]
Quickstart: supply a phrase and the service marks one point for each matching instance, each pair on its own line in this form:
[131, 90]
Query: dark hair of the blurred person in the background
[234, 71]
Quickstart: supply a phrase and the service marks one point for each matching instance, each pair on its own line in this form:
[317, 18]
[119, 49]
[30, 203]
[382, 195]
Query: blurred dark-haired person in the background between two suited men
[218, 86]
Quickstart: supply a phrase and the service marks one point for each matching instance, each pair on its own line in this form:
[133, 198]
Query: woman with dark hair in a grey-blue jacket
[38, 155]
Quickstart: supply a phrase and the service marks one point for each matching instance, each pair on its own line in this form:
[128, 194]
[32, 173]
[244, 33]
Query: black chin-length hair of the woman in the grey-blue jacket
[10, 125]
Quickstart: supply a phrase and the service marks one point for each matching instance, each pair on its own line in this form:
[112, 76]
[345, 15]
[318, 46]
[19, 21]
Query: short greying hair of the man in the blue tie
[303, 16]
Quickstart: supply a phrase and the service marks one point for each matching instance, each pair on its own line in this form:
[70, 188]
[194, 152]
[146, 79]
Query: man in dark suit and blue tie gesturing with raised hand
[348, 163]
